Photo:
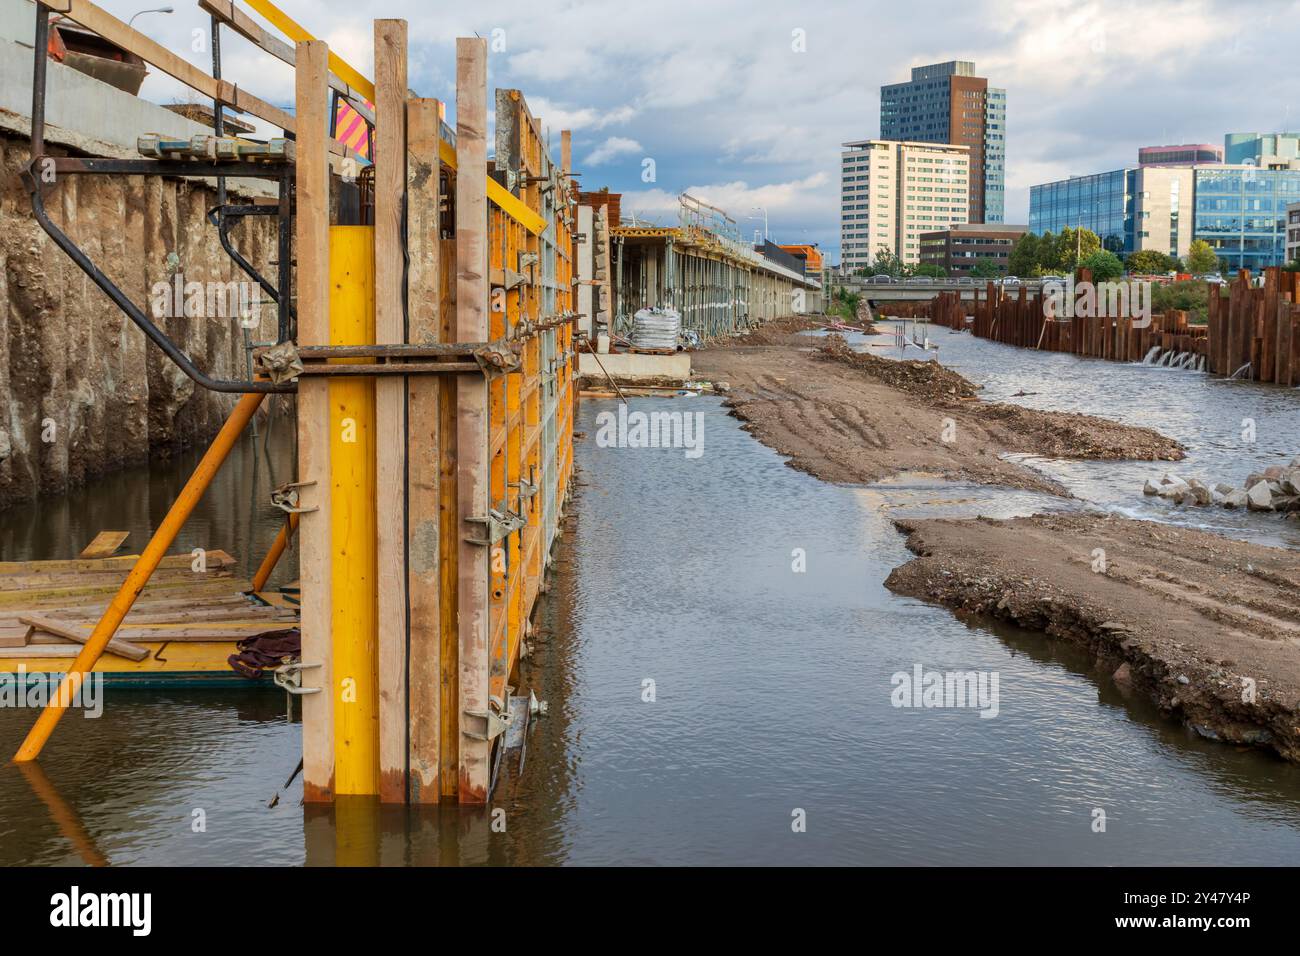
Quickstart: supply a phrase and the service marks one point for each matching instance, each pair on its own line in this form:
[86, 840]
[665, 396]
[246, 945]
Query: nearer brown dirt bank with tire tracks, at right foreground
[1206, 626]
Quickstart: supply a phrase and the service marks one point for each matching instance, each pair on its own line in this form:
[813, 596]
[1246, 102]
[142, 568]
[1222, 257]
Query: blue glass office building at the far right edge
[1242, 211]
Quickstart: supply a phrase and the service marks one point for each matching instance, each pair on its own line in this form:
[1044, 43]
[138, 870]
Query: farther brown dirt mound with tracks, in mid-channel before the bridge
[856, 418]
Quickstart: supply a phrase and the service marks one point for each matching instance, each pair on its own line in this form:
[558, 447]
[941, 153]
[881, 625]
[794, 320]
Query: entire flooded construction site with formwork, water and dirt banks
[380, 490]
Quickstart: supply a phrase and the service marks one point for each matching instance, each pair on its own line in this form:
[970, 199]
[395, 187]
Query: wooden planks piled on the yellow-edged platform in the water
[50, 608]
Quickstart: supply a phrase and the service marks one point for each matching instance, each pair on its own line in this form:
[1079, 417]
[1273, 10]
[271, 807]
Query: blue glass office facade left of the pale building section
[1103, 202]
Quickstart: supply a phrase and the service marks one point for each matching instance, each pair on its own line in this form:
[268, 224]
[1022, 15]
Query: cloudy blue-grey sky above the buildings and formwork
[746, 105]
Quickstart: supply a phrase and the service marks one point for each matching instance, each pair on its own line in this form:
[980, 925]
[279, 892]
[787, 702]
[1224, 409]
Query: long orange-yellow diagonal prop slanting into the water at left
[140, 576]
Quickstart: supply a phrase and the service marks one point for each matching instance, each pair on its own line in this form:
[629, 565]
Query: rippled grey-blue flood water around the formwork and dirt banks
[772, 686]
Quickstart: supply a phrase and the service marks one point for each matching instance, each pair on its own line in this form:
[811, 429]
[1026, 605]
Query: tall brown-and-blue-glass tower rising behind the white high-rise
[947, 103]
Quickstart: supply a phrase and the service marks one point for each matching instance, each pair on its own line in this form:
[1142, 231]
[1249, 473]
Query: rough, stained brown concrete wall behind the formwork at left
[88, 395]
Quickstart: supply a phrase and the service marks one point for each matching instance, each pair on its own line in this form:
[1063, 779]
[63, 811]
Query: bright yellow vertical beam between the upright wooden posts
[353, 520]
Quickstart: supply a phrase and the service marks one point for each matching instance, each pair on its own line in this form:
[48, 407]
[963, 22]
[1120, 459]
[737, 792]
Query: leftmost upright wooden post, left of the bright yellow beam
[311, 245]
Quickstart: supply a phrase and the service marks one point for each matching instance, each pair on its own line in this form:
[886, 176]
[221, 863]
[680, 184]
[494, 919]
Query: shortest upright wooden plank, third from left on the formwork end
[424, 410]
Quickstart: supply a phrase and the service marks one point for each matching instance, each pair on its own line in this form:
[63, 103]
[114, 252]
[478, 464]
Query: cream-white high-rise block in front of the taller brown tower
[894, 192]
